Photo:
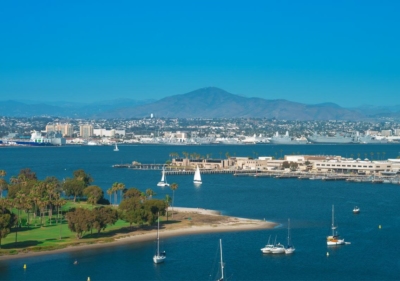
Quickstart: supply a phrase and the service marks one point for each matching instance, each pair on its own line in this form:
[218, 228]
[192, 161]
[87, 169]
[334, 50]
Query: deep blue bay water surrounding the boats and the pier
[372, 255]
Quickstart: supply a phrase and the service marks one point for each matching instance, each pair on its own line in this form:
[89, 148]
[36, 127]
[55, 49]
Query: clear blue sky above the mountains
[346, 52]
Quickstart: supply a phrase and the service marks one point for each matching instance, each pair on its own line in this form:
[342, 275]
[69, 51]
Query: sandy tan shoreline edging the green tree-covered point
[204, 221]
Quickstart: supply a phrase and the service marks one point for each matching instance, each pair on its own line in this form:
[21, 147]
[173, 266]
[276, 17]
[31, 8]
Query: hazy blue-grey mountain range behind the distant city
[209, 102]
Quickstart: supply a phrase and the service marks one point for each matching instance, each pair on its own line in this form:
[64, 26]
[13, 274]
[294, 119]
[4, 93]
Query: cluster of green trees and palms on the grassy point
[34, 200]
